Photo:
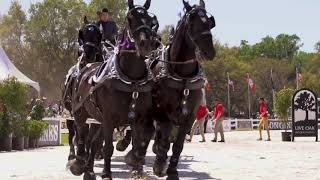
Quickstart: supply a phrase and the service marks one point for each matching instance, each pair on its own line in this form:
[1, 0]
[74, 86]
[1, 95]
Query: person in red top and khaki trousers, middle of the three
[218, 119]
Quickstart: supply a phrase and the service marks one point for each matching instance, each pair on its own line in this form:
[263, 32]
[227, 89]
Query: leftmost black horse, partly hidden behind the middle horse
[90, 38]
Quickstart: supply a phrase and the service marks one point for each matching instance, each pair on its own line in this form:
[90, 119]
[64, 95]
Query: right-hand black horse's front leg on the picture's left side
[161, 147]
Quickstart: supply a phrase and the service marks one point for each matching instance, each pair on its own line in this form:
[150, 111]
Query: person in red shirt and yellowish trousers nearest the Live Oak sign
[263, 119]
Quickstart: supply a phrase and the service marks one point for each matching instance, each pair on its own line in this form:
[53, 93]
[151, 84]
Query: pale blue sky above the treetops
[242, 19]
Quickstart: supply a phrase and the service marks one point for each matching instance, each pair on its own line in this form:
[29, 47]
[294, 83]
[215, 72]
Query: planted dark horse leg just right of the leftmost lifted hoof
[94, 132]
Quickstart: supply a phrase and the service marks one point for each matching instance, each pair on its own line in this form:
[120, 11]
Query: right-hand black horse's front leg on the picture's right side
[177, 148]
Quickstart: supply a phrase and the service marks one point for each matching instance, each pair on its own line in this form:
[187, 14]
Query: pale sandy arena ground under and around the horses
[241, 157]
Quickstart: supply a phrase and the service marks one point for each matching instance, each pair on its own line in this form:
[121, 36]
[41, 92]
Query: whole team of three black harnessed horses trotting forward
[143, 84]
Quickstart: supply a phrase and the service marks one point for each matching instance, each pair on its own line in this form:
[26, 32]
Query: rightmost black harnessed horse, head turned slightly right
[177, 94]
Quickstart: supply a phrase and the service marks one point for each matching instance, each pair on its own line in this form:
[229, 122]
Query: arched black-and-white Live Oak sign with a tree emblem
[304, 114]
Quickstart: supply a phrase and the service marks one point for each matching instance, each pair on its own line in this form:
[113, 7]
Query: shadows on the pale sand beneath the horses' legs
[122, 171]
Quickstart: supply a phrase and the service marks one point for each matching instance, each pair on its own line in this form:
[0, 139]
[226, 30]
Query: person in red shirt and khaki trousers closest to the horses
[199, 122]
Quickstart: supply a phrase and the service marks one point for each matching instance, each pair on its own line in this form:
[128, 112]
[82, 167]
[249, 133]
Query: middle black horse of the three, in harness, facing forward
[118, 93]
